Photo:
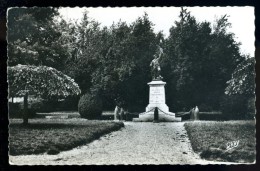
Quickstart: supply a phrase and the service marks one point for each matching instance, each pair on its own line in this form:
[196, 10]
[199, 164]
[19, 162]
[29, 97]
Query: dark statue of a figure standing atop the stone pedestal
[155, 65]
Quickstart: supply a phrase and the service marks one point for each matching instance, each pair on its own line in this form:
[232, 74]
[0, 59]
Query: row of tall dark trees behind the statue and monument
[113, 62]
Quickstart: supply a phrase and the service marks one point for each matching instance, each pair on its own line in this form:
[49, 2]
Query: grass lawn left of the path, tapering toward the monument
[55, 135]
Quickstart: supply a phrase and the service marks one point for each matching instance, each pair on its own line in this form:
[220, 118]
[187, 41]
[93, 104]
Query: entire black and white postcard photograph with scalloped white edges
[131, 85]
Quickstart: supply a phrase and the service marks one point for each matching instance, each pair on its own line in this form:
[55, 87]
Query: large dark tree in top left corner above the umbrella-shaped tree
[34, 38]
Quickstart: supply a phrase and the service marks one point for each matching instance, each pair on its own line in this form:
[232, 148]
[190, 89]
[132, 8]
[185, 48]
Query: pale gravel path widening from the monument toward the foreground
[137, 143]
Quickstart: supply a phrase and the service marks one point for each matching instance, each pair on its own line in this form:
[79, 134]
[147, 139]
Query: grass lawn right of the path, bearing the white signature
[210, 138]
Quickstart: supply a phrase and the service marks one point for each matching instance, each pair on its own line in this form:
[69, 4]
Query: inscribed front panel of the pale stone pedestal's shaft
[157, 94]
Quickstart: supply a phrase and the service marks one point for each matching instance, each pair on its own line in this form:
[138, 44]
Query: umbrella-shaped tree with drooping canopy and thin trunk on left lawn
[41, 81]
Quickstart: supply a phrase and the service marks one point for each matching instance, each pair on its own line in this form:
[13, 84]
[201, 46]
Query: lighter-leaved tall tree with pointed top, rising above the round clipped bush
[88, 43]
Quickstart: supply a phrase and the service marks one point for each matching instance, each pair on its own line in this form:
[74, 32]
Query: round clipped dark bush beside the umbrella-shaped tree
[90, 106]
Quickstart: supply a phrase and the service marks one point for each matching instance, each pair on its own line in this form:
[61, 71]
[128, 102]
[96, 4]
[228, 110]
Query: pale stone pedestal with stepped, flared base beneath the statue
[157, 99]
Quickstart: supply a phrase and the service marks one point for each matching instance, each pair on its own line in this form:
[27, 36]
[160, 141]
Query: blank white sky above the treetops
[241, 18]
